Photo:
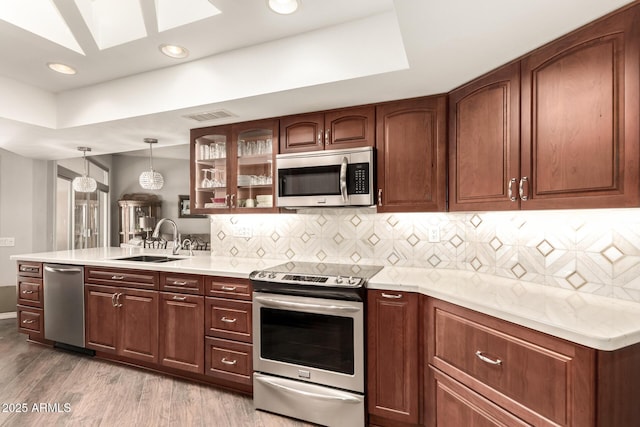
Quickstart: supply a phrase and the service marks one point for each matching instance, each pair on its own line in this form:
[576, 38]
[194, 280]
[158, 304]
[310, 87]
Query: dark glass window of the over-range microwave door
[309, 181]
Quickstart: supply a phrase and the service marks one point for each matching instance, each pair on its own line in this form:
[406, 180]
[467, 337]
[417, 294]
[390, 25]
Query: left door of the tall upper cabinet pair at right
[484, 142]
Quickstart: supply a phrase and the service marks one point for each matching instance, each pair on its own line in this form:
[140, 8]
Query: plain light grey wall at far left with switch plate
[26, 195]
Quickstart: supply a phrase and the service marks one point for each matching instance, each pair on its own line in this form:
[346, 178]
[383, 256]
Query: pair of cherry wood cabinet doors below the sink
[122, 321]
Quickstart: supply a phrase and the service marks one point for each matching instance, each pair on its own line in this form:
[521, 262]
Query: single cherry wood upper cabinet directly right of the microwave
[411, 147]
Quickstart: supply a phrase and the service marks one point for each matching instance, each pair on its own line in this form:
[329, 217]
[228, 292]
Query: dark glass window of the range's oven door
[307, 339]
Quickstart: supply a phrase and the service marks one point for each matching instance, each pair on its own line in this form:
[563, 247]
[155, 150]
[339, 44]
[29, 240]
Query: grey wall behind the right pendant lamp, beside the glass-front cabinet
[125, 173]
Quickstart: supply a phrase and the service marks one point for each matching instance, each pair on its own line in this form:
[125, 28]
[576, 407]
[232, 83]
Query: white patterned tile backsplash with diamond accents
[594, 251]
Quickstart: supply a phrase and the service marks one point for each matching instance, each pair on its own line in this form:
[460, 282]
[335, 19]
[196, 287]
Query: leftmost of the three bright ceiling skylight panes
[41, 18]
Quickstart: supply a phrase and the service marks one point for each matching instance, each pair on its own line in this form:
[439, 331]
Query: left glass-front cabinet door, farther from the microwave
[210, 172]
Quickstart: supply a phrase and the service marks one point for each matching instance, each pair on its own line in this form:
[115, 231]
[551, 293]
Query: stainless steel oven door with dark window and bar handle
[309, 339]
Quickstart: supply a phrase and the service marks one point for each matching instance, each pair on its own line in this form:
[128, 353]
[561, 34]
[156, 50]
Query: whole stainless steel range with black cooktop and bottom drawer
[308, 354]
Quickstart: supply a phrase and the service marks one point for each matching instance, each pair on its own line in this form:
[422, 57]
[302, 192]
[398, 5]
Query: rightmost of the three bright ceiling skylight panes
[172, 13]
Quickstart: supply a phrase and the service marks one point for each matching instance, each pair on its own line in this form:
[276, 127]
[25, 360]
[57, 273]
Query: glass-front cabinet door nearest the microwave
[255, 160]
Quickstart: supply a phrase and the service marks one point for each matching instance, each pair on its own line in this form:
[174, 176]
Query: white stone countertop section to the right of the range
[591, 320]
